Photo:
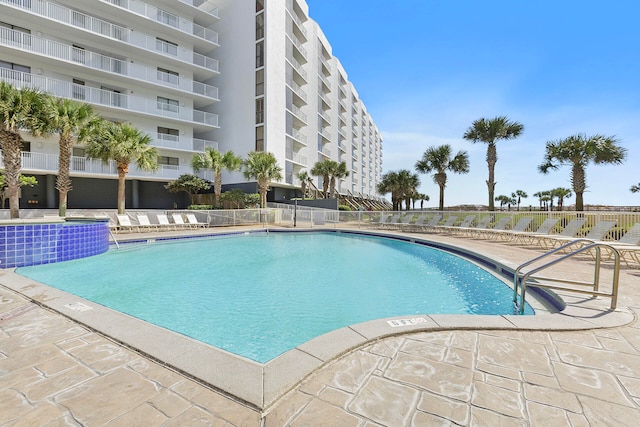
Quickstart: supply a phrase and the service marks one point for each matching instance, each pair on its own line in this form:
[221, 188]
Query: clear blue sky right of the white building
[426, 69]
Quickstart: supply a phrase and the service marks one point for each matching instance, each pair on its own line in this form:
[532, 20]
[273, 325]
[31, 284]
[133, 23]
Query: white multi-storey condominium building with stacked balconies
[238, 75]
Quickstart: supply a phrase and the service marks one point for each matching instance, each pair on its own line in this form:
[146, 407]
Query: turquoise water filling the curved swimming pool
[260, 295]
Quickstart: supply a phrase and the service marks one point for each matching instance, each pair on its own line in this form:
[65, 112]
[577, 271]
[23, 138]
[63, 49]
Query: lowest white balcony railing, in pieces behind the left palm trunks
[82, 165]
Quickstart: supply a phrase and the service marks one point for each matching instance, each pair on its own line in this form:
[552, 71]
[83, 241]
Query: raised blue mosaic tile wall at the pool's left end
[33, 244]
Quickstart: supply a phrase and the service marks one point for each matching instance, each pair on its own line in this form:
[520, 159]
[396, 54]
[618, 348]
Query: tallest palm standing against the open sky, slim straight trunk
[490, 131]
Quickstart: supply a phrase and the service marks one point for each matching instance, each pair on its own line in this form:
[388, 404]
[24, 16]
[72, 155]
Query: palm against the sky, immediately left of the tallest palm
[439, 160]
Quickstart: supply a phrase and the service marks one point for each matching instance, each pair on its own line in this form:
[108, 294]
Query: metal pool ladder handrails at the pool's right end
[522, 280]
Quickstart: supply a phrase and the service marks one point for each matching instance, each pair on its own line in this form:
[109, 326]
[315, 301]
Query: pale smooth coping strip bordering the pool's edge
[260, 386]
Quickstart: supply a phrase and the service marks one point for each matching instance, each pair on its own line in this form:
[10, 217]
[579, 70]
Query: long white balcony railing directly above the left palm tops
[103, 97]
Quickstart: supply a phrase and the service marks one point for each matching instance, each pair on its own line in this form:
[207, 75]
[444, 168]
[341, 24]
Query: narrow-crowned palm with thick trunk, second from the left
[70, 120]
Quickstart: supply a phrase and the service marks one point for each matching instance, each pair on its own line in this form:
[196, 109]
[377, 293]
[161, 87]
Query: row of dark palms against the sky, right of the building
[576, 151]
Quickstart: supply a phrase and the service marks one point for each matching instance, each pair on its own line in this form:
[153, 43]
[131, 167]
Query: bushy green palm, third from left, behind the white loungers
[123, 144]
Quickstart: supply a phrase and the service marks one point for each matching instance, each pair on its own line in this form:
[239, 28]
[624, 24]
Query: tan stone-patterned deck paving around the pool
[469, 370]
